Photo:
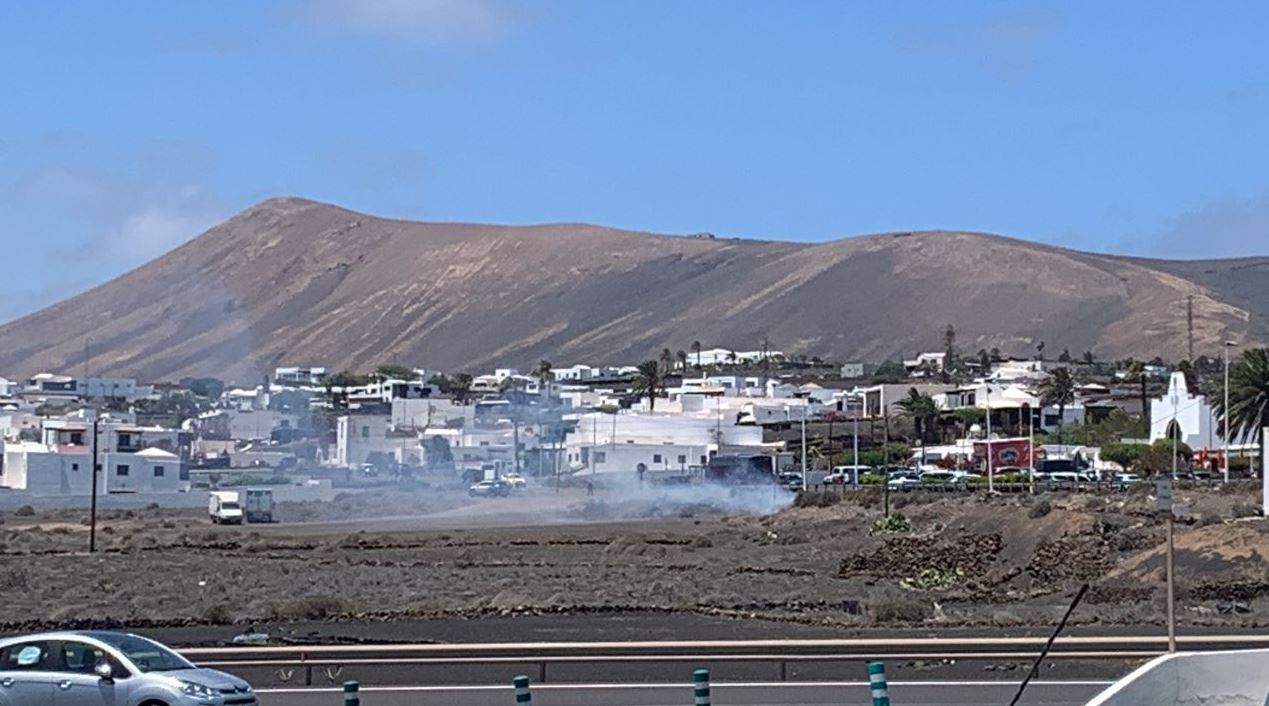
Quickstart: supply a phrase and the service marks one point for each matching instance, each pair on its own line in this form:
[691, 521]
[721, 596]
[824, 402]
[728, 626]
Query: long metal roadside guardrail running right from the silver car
[779, 653]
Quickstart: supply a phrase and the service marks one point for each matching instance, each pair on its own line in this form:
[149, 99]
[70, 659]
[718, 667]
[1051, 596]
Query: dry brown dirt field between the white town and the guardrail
[413, 561]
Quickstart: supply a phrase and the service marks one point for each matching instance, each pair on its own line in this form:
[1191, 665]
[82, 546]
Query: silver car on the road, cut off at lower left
[98, 669]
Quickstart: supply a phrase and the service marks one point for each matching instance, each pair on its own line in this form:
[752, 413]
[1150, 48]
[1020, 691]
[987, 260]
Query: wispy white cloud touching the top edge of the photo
[419, 22]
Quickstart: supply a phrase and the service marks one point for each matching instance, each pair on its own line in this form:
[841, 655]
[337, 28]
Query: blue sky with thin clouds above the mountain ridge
[1128, 128]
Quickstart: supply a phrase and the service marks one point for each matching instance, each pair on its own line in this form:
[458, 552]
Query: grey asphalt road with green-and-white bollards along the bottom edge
[756, 694]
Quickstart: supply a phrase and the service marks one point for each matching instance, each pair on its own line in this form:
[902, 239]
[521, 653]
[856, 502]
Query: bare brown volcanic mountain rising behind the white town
[298, 283]
